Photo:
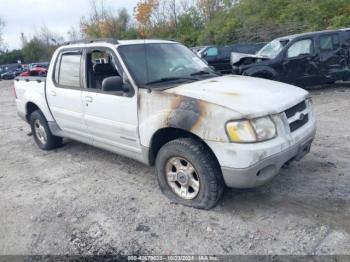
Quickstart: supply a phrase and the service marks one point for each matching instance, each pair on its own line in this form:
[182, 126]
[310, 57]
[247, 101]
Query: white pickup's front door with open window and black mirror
[110, 116]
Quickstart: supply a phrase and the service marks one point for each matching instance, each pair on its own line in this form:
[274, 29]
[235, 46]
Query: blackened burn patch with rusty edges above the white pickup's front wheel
[186, 113]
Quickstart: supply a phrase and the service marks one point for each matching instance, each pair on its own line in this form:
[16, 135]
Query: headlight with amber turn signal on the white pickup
[249, 131]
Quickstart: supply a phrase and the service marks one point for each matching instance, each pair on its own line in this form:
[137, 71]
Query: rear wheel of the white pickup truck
[41, 132]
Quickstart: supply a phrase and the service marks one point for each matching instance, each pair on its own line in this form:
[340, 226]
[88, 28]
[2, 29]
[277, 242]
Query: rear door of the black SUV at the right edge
[333, 56]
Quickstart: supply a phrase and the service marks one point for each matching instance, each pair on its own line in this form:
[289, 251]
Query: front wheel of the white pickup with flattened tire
[189, 165]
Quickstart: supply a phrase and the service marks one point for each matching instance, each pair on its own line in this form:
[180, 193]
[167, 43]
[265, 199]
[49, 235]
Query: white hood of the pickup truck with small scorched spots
[250, 97]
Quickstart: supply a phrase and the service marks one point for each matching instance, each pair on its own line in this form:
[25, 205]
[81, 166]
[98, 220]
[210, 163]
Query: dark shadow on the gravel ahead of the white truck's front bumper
[307, 194]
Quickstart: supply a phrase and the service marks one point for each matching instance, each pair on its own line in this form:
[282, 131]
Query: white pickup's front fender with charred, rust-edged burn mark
[160, 109]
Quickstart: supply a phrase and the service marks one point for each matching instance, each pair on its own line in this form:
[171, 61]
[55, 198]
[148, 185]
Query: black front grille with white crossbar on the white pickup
[297, 116]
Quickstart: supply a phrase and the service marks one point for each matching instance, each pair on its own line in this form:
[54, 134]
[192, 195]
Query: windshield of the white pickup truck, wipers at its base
[163, 64]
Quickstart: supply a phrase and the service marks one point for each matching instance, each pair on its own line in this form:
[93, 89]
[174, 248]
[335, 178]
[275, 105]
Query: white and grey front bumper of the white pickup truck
[252, 165]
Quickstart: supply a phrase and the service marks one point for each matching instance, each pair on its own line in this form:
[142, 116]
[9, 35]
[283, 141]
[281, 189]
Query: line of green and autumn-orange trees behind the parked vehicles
[194, 22]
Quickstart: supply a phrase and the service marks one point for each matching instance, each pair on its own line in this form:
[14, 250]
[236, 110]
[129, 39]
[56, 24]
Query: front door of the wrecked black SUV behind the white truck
[301, 64]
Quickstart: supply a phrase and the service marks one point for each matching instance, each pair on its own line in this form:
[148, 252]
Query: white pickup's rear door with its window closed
[64, 94]
